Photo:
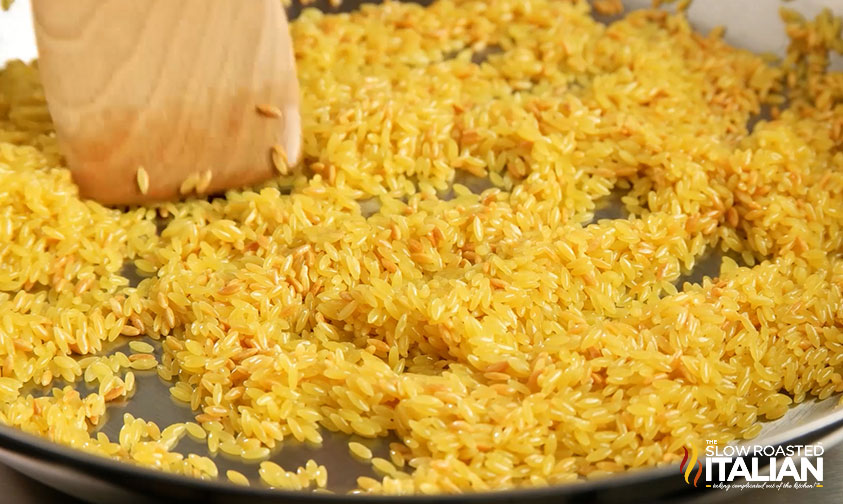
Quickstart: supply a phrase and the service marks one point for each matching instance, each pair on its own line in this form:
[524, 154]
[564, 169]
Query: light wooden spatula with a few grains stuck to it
[156, 99]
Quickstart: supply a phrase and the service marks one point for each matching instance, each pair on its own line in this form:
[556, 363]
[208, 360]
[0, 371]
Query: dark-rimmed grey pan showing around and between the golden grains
[105, 481]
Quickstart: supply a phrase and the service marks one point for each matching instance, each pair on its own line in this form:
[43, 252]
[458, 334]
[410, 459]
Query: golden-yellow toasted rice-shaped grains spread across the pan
[505, 338]
